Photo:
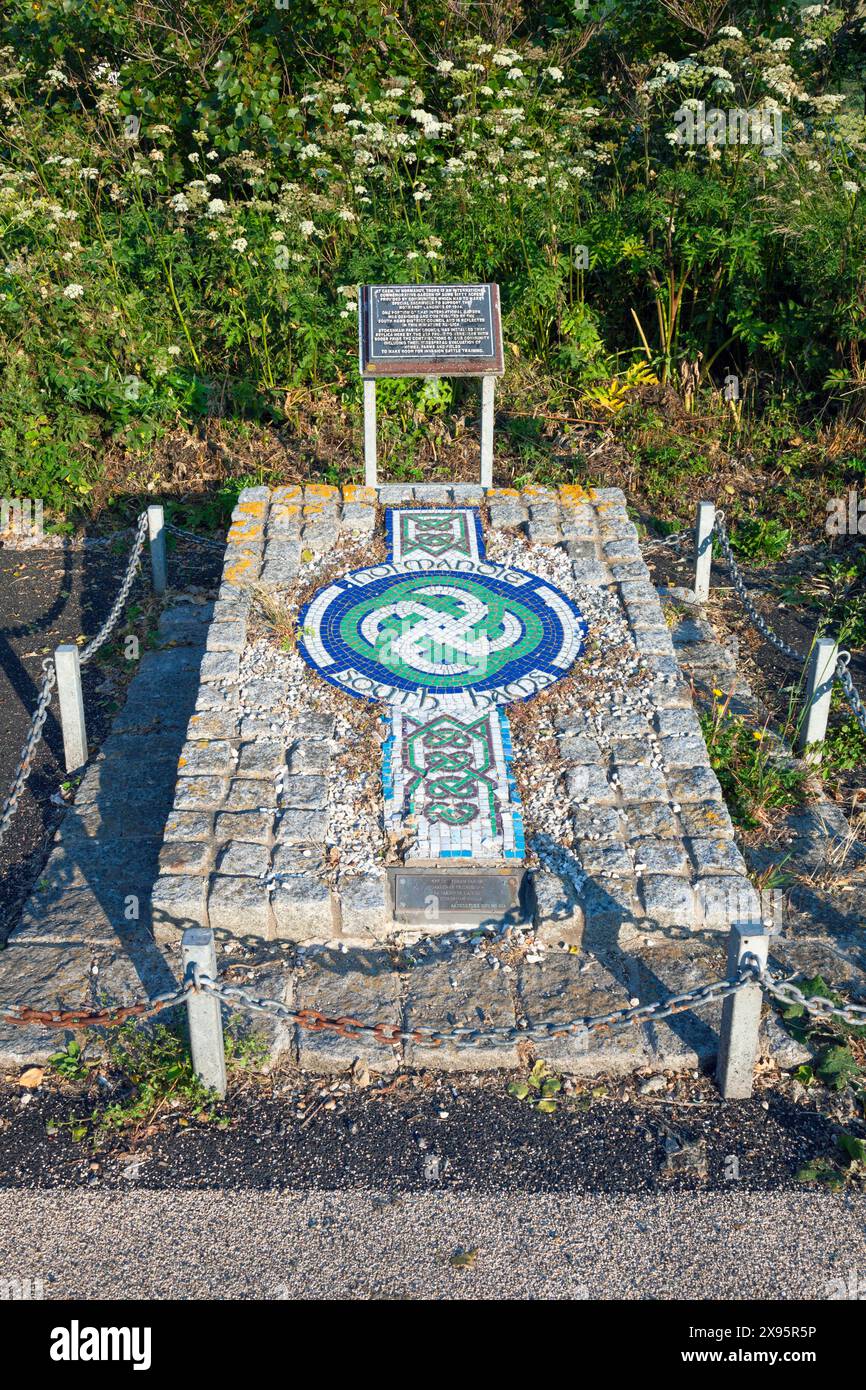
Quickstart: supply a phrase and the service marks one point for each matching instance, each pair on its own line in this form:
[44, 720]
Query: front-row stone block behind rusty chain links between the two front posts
[362, 988]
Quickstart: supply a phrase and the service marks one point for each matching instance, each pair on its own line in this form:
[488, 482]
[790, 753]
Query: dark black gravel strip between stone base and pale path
[420, 1134]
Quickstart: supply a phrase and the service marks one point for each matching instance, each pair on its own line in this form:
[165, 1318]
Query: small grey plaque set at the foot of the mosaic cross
[461, 897]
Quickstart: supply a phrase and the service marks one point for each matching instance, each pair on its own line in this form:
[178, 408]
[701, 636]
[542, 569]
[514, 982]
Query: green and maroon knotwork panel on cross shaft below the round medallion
[451, 761]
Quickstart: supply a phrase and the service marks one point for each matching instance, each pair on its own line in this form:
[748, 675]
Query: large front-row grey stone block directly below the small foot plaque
[462, 992]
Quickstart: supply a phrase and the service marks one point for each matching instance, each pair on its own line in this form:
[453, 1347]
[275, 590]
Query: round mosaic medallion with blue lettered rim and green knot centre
[476, 630]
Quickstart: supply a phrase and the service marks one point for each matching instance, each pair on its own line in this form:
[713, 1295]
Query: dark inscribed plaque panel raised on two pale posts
[430, 332]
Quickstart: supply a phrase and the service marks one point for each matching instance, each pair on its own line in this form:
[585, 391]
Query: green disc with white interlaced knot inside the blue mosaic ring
[441, 632]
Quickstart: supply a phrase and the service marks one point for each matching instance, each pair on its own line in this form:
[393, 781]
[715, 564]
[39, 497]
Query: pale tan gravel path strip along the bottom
[370, 1246]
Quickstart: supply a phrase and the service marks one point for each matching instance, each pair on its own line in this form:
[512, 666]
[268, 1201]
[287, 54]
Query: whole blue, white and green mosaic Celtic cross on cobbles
[446, 639]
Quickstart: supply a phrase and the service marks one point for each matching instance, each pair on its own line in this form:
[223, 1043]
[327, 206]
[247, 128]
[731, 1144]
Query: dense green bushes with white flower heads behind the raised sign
[191, 193]
